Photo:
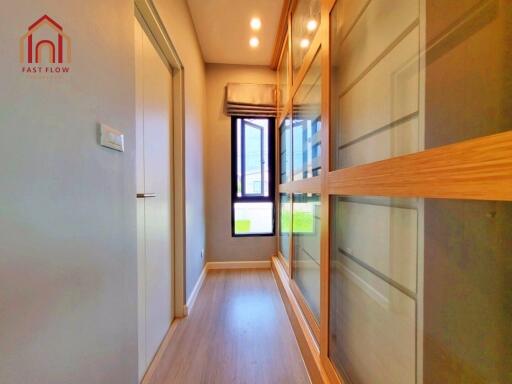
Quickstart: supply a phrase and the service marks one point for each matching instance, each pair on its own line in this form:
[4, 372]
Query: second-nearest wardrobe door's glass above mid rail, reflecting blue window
[307, 124]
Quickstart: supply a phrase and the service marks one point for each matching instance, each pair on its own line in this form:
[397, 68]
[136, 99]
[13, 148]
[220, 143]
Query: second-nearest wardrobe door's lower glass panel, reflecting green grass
[306, 242]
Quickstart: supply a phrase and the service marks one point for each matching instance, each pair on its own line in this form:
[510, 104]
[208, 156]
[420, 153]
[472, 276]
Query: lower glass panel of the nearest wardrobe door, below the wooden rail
[449, 322]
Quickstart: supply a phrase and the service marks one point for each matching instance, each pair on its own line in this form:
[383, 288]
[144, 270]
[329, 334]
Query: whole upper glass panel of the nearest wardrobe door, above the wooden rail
[380, 105]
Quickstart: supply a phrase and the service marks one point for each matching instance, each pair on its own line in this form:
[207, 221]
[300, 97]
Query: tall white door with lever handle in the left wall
[153, 82]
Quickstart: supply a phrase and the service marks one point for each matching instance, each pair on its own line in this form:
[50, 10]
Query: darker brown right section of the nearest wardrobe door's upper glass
[468, 90]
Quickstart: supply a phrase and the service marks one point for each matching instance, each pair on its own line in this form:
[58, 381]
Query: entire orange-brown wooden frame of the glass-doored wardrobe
[476, 169]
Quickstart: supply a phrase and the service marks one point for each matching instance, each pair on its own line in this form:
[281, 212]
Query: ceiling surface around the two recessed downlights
[223, 29]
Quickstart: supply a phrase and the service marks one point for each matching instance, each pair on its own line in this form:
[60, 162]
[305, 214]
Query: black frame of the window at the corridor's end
[248, 198]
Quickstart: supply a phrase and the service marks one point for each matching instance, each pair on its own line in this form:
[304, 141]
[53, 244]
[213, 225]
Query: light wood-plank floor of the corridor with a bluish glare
[238, 332]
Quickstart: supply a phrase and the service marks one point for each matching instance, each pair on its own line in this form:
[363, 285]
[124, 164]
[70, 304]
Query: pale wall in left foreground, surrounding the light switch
[68, 278]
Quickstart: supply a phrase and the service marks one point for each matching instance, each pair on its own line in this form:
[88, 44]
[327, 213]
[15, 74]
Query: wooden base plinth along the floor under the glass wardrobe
[305, 338]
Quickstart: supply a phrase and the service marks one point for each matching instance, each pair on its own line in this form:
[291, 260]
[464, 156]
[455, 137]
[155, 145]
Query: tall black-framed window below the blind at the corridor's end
[252, 176]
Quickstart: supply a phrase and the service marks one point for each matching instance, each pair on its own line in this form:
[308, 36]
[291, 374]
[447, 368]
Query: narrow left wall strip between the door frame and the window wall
[178, 22]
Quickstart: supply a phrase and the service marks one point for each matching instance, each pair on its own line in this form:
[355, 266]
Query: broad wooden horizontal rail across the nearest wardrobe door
[477, 169]
